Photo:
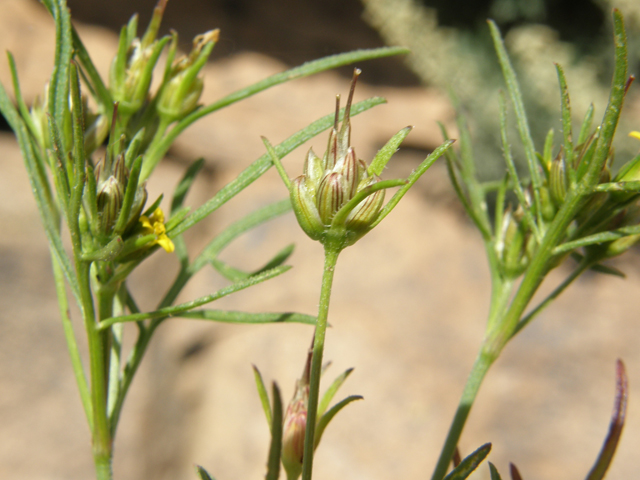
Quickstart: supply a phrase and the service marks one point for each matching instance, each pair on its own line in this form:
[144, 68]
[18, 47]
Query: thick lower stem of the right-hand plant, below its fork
[478, 372]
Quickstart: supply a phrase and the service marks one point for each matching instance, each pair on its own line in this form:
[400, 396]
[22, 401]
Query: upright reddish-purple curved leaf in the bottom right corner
[603, 461]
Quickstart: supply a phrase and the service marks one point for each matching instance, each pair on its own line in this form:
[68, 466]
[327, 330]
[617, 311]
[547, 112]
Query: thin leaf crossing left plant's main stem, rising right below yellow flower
[184, 307]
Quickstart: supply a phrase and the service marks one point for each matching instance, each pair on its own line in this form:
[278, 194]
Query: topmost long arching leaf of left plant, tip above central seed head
[156, 151]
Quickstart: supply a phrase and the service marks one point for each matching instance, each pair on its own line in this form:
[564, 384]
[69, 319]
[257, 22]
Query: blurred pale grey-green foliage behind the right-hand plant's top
[452, 50]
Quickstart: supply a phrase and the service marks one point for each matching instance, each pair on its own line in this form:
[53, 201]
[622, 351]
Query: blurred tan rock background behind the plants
[408, 308]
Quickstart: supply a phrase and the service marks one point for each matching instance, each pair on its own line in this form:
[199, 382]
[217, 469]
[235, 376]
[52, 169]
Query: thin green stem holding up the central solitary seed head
[330, 259]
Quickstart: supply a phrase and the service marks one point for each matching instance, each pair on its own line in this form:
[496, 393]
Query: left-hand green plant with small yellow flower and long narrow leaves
[103, 204]
